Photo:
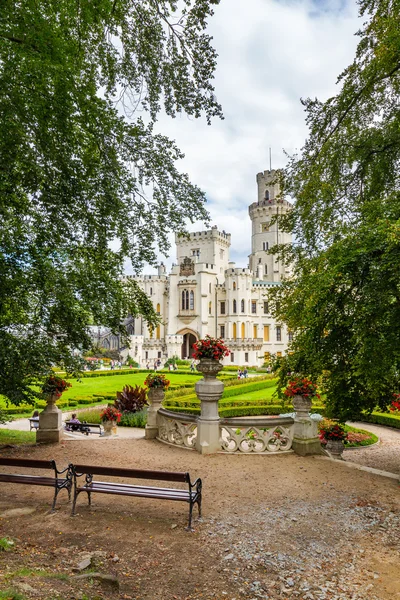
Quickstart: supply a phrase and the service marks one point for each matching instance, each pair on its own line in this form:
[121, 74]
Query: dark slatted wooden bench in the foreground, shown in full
[192, 495]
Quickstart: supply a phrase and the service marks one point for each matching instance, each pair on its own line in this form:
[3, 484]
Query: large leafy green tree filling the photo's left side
[85, 182]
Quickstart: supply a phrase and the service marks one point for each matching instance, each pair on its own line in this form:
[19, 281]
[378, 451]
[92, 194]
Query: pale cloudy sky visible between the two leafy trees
[271, 54]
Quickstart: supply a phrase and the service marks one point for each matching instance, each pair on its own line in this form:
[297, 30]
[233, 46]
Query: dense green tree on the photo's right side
[343, 301]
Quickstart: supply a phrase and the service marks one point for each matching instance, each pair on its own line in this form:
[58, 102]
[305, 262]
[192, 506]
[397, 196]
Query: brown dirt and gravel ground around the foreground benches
[274, 527]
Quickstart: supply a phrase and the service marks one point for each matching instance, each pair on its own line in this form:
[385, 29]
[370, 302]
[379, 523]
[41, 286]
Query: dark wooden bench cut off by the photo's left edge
[56, 482]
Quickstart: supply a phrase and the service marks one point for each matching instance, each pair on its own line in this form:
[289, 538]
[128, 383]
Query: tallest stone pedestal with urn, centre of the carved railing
[209, 390]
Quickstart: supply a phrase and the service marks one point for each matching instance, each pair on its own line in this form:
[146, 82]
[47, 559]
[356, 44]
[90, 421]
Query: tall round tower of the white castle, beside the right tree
[264, 234]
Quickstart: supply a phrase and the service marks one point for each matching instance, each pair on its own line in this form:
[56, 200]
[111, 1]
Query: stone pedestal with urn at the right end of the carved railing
[305, 436]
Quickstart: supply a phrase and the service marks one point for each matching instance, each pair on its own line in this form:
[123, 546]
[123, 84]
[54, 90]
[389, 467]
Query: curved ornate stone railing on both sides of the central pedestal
[240, 435]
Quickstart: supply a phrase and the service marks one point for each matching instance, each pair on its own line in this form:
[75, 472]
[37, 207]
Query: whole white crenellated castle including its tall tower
[205, 293]
